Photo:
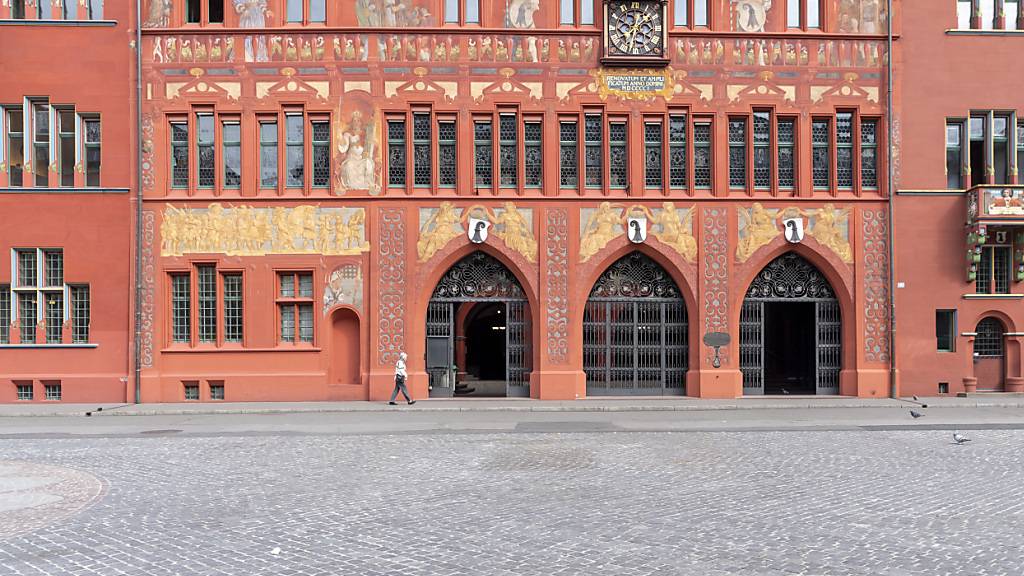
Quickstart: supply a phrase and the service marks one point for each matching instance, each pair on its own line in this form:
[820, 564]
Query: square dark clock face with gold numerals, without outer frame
[635, 28]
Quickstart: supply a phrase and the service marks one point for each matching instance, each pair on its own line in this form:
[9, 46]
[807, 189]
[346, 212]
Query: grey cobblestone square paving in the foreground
[599, 504]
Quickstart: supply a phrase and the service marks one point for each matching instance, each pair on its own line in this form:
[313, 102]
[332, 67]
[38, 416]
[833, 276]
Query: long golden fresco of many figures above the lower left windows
[246, 231]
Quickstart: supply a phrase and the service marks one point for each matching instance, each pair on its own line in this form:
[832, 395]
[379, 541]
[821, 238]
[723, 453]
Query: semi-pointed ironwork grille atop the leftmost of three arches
[479, 276]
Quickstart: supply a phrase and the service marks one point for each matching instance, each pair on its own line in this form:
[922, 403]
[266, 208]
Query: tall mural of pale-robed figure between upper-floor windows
[357, 167]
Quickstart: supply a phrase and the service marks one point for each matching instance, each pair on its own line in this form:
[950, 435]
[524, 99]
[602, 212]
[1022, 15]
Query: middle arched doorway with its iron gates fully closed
[635, 332]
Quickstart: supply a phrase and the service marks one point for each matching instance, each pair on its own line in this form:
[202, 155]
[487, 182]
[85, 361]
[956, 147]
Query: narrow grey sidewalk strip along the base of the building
[506, 405]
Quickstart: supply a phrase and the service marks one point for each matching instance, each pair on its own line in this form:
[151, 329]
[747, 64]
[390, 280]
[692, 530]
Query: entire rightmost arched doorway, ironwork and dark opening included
[791, 332]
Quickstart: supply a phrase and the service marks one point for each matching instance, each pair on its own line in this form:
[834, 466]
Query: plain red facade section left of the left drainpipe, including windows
[66, 166]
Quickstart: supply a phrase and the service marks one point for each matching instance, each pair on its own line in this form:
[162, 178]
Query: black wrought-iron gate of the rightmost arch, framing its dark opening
[791, 278]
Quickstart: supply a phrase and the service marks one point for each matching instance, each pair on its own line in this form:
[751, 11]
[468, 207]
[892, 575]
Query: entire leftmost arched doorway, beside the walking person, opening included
[494, 352]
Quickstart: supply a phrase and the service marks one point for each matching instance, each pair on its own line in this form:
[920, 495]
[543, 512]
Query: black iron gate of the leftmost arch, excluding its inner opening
[478, 278]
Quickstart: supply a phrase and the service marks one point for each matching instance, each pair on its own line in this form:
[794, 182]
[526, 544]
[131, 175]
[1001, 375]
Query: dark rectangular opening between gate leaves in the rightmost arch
[790, 349]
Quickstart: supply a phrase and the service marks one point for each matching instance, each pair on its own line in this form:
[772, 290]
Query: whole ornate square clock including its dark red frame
[635, 33]
